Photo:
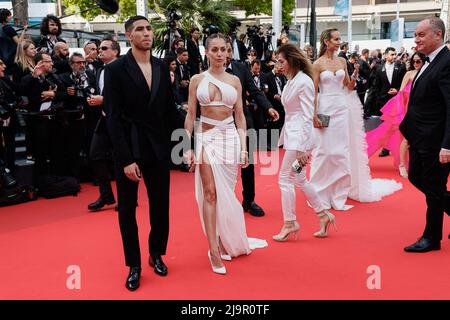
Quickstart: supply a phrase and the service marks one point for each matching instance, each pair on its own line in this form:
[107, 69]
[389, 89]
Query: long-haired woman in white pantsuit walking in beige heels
[297, 138]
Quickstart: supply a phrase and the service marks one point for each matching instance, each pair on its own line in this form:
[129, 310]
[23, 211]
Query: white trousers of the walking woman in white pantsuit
[288, 180]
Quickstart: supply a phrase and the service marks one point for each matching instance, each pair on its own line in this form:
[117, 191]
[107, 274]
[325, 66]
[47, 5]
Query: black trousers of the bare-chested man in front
[157, 180]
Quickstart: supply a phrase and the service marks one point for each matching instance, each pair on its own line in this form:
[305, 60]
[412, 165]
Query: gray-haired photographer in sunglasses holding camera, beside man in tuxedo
[81, 119]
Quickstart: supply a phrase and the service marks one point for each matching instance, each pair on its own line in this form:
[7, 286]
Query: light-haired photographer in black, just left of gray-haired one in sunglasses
[46, 95]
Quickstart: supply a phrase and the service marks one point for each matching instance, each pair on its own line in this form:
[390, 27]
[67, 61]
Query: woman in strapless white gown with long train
[339, 168]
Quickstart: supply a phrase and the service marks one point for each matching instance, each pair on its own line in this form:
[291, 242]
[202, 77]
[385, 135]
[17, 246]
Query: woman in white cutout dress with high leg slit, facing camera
[219, 150]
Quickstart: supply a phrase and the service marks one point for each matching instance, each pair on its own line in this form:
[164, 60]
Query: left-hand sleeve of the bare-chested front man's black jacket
[113, 109]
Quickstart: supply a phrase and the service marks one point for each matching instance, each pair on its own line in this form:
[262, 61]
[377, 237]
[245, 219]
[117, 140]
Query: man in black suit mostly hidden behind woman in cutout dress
[248, 85]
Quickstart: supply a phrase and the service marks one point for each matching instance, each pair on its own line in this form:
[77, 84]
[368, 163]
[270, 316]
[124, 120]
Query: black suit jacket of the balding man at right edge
[427, 121]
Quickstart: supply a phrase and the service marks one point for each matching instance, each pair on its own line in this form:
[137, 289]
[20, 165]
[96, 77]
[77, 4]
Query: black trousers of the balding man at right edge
[428, 175]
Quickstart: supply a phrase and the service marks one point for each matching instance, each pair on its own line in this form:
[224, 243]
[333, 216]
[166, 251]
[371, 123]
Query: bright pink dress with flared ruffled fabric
[387, 135]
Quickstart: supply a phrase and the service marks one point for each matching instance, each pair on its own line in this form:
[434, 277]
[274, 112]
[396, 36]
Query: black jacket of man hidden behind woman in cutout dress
[248, 85]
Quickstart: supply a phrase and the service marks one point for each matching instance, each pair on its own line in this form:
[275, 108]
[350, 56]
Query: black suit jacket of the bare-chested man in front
[139, 120]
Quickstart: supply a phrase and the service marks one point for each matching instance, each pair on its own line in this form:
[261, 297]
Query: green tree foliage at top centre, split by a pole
[265, 6]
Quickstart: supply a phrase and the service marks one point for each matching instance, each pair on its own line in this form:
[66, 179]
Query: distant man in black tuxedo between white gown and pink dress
[387, 82]
